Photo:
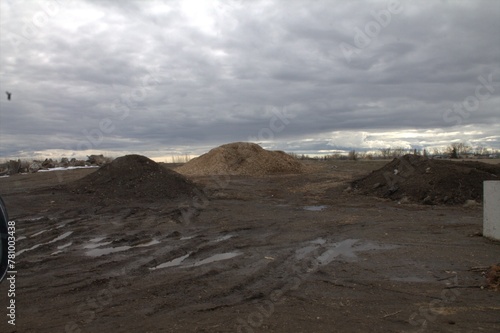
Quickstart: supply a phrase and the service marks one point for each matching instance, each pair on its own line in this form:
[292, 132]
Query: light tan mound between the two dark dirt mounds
[241, 158]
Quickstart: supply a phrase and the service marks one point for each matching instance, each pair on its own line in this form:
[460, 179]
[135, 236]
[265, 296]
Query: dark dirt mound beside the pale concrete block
[421, 180]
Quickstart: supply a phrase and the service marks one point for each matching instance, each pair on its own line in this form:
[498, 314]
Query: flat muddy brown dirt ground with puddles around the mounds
[284, 253]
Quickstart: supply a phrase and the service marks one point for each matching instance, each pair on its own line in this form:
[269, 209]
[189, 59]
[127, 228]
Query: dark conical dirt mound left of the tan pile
[134, 176]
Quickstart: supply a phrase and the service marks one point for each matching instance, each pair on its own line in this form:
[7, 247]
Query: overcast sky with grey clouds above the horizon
[168, 77]
